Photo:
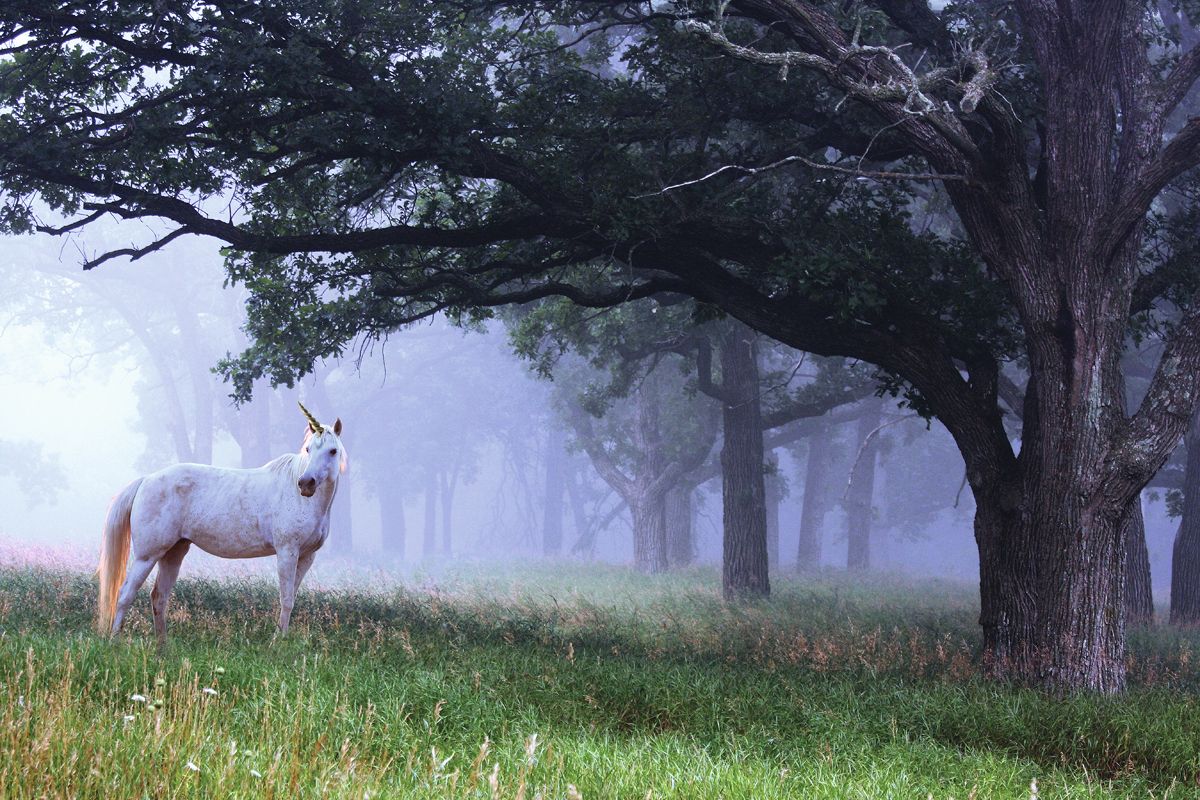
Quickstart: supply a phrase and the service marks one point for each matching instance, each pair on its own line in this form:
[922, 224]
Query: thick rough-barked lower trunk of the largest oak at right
[1075, 405]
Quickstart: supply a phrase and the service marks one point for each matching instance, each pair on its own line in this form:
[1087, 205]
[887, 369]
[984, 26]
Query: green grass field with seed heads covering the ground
[563, 682]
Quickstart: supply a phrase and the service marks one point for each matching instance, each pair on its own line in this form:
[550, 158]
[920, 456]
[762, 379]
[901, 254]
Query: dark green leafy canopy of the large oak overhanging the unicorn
[400, 159]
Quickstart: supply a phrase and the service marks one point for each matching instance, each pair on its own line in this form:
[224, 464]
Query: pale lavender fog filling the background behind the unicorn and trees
[106, 376]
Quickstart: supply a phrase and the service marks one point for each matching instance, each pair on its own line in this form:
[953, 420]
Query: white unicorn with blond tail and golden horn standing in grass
[281, 509]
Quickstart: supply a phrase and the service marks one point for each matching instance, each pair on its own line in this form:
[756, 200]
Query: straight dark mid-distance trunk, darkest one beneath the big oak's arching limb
[745, 563]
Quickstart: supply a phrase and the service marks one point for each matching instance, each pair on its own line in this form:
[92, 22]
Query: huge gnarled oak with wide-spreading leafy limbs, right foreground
[406, 159]
